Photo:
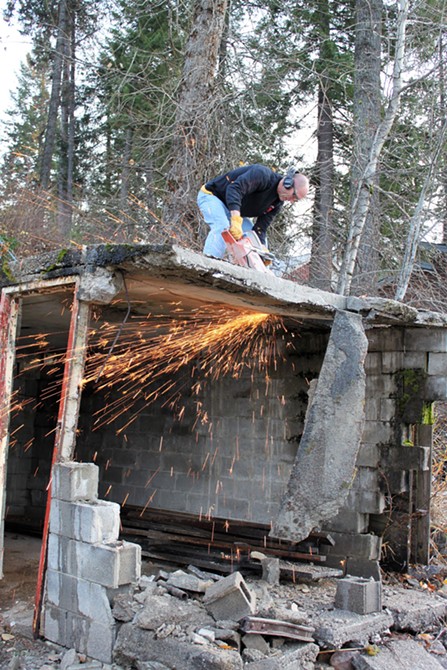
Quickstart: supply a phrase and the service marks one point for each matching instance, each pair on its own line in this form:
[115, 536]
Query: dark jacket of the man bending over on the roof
[251, 189]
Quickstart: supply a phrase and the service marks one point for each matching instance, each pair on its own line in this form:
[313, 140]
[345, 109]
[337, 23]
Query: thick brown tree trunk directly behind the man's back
[192, 127]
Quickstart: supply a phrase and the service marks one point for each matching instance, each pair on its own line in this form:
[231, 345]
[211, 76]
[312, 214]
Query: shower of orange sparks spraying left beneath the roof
[159, 358]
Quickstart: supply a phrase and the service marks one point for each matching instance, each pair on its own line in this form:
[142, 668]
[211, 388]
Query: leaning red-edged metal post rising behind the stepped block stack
[66, 425]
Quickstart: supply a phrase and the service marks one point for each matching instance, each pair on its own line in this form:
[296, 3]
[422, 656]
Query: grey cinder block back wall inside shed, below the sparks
[236, 463]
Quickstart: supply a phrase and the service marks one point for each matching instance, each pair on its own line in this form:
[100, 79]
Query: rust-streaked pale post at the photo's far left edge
[9, 318]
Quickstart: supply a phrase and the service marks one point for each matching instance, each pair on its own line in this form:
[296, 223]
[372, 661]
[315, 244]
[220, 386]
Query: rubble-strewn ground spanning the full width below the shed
[190, 618]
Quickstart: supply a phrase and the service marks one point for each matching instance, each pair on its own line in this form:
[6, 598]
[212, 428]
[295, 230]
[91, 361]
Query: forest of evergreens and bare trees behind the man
[123, 109]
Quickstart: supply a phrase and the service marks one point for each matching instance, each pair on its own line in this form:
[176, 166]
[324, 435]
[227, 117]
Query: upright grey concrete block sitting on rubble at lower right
[358, 594]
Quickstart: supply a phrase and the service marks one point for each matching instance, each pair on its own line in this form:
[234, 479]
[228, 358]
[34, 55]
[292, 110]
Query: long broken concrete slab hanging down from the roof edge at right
[325, 463]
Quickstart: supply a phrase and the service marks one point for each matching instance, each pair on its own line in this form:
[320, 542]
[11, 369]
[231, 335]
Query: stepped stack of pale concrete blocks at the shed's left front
[86, 563]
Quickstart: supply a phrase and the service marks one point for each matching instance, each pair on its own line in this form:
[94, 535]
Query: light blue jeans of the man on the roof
[217, 216]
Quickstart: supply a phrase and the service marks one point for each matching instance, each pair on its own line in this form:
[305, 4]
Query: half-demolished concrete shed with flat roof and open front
[154, 378]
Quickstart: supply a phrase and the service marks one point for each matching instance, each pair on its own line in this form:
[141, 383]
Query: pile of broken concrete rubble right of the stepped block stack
[194, 620]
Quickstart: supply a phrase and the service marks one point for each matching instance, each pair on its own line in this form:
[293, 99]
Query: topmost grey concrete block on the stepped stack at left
[75, 481]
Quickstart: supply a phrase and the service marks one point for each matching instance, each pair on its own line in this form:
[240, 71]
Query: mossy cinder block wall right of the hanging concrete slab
[406, 371]
